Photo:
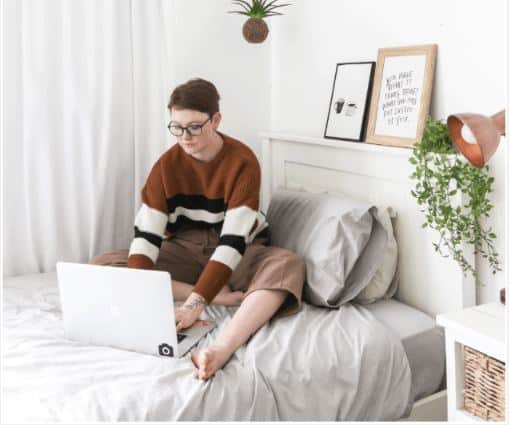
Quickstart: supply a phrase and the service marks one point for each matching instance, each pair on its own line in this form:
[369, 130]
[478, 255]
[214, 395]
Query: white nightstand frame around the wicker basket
[482, 328]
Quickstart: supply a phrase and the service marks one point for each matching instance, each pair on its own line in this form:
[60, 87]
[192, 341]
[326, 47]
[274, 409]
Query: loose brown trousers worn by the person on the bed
[186, 253]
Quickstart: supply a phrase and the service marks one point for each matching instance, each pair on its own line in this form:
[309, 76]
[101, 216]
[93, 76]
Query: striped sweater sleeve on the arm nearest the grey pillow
[242, 221]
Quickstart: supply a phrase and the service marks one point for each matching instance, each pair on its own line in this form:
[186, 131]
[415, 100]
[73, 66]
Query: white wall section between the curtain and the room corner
[209, 44]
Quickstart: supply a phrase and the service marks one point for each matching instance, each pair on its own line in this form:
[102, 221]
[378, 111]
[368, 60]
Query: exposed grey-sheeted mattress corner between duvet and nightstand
[422, 340]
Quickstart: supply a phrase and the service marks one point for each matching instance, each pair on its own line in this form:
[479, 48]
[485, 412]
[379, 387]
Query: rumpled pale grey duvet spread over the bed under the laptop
[320, 364]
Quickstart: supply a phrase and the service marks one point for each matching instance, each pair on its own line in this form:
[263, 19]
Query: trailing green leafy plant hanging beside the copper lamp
[454, 197]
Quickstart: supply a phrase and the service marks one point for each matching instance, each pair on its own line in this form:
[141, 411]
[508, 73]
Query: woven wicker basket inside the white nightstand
[484, 386]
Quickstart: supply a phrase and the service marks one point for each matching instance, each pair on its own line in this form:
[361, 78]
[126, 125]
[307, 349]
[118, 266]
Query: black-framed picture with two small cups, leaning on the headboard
[349, 102]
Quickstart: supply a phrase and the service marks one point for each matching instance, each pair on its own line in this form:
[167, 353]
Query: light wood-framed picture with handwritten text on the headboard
[401, 95]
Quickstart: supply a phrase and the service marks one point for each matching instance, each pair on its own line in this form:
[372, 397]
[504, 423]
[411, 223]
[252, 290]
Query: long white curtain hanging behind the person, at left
[94, 81]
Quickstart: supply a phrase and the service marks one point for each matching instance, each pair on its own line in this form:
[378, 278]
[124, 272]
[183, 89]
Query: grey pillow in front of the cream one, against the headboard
[341, 240]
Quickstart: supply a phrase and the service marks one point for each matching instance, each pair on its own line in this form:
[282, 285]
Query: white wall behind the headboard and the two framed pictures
[314, 35]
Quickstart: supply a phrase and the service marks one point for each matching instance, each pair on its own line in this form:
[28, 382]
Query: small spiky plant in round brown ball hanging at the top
[255, 29]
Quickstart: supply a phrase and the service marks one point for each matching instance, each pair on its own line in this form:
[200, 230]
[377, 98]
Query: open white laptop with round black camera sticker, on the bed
[125, 308]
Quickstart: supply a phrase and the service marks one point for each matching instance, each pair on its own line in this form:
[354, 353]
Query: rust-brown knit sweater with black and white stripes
[181, 190]
